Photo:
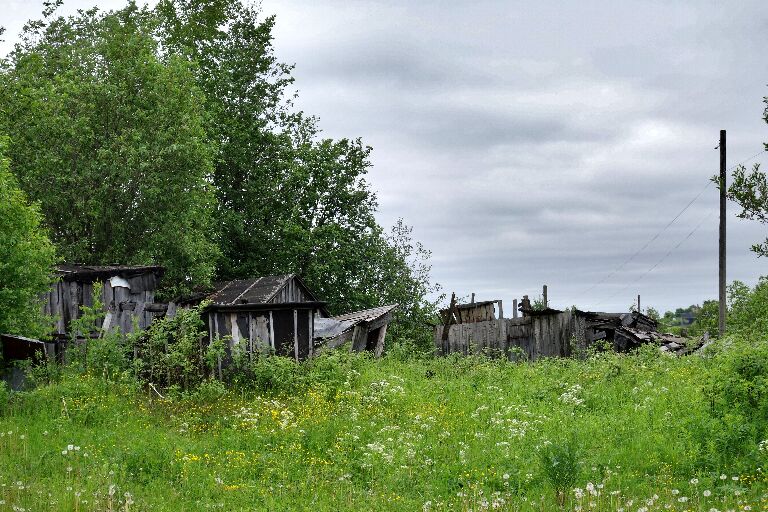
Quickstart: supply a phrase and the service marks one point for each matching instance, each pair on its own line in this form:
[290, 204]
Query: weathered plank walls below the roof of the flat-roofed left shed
[121, 304]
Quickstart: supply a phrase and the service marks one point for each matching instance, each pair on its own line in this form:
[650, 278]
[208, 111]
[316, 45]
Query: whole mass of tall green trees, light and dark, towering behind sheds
[168, 135]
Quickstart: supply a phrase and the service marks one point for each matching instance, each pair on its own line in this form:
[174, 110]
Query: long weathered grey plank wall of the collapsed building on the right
[536, 336]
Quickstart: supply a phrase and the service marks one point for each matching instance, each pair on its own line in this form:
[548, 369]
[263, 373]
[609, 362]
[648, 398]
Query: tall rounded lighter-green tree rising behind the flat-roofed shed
[108, 136]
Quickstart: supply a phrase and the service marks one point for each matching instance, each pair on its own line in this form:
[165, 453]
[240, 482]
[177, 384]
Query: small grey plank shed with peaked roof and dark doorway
[271, 313]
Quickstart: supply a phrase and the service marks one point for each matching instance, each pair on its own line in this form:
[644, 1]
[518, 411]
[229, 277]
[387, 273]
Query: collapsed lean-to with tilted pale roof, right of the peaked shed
[366, 329]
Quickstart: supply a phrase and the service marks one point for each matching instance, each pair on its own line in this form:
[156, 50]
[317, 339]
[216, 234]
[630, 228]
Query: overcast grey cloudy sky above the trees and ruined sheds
[532, 143]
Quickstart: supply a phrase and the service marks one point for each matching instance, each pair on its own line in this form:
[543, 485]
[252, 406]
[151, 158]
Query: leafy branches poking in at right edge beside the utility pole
[749, 190]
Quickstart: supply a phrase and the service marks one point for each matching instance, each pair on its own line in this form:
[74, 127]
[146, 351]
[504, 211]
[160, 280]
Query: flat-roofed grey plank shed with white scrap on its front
[127, 295]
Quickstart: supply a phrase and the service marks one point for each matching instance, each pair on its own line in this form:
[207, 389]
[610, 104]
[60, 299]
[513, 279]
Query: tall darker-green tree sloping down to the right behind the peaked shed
[289, 200]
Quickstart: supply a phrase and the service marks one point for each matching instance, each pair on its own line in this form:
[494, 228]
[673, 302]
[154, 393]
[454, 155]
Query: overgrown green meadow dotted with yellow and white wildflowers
[344, 432]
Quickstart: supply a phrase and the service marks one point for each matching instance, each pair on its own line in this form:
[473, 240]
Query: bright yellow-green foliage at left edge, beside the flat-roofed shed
[26, 257]
